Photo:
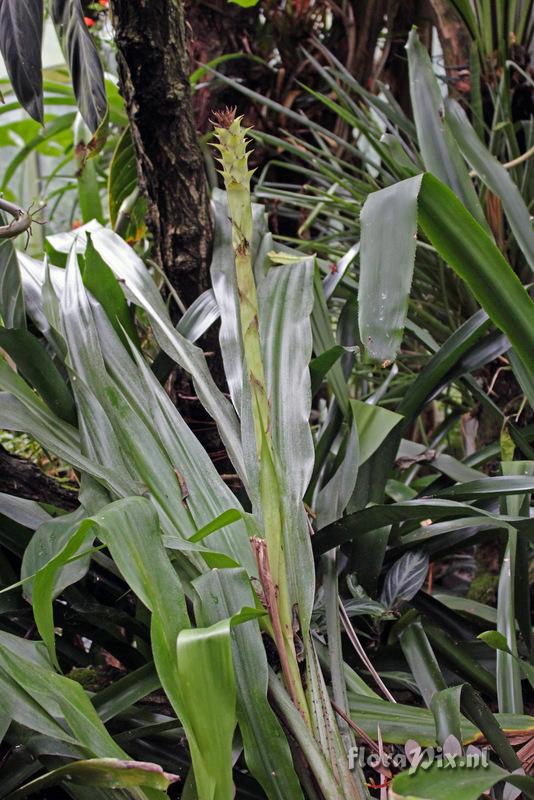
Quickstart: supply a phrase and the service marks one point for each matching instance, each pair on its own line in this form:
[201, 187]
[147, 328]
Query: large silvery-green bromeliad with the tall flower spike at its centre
[204, 570]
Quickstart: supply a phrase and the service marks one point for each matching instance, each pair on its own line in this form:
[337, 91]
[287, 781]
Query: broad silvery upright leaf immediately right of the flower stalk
[285, 298]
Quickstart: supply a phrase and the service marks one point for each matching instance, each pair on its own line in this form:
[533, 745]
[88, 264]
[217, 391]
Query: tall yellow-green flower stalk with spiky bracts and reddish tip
[232, 145]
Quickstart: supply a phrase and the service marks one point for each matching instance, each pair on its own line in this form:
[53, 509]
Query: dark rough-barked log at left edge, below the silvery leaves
[21, 478]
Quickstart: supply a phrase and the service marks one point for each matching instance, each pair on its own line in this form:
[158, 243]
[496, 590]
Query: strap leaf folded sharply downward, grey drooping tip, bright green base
[389, 224]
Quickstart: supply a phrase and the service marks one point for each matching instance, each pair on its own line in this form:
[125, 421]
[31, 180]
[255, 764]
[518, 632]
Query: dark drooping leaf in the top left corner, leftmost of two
[21, 34]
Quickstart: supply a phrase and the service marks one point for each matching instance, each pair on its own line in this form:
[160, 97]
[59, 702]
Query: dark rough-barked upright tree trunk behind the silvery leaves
[154, 74]
